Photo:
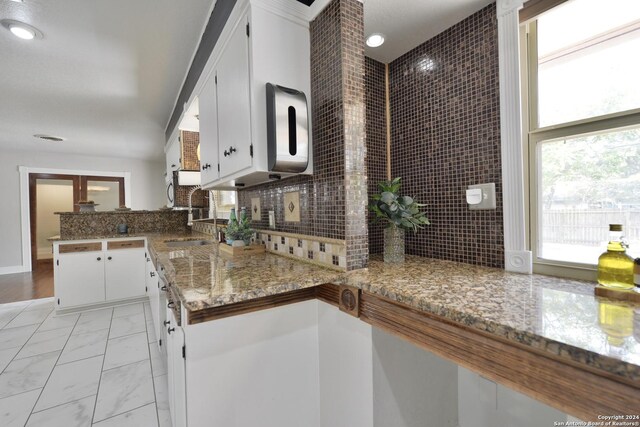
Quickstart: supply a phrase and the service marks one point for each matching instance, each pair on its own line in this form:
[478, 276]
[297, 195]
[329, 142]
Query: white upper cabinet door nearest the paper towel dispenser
[234, 110]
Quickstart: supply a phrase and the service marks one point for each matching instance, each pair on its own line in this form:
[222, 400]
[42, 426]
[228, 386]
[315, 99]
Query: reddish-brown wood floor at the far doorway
[27, 286]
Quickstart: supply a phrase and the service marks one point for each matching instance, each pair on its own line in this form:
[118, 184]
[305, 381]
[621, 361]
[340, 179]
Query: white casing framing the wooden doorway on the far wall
[24, 172]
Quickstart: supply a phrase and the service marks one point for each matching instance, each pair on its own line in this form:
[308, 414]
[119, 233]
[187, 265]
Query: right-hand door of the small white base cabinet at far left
[124, 273]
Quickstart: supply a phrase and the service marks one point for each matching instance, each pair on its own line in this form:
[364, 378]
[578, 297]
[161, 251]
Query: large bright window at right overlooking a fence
[583, 132]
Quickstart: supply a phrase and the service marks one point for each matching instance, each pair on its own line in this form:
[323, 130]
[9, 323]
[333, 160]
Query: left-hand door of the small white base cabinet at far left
[79, 279]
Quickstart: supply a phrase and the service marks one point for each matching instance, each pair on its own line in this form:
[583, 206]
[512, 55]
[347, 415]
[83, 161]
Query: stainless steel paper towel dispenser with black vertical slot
[287, 129]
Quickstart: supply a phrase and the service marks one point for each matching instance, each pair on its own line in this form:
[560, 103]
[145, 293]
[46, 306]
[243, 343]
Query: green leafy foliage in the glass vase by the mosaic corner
[402, 211]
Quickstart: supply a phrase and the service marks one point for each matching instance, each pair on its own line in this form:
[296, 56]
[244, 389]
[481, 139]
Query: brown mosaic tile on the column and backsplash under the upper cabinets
[337, 97]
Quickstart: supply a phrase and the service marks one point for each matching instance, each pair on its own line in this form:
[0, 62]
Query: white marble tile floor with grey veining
[95, 368]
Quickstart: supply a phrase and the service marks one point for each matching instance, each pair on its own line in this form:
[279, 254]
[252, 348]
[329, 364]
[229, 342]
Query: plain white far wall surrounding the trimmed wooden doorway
[147, 188]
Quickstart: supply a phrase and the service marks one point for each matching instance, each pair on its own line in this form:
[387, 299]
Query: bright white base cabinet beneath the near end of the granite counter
[305, 364]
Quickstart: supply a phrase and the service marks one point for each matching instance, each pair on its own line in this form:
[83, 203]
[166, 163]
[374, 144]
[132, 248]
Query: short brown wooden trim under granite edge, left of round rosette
[325, 292]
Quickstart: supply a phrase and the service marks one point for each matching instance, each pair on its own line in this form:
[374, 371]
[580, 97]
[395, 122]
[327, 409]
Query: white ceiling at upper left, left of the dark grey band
[105, 76]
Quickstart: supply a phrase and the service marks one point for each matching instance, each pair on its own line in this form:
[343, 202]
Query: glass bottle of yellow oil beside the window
[615, 267]
